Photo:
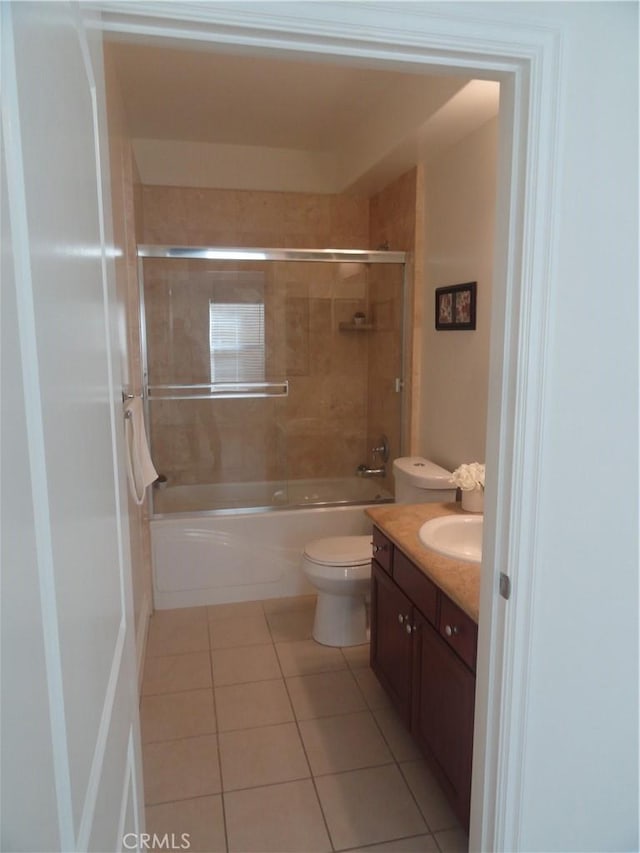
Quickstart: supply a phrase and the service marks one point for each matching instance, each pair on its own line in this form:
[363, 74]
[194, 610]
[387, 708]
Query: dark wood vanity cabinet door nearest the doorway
[442, 713]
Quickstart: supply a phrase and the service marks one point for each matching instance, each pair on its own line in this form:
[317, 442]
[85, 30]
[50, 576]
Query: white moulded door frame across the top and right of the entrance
[455, 38]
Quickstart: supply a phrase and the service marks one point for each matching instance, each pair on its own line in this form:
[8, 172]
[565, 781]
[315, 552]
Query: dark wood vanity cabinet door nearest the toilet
[391, 645]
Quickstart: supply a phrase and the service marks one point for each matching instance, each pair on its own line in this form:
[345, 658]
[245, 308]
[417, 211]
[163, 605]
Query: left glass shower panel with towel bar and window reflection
[214, 412]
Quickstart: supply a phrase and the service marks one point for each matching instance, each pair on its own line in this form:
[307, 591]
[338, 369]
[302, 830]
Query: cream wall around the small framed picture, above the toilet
[460, 200]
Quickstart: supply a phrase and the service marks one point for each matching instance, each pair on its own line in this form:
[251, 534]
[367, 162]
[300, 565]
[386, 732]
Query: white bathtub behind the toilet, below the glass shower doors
[203, 556]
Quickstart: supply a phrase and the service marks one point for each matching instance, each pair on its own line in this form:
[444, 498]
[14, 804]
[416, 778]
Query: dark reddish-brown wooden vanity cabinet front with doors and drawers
[423, 651]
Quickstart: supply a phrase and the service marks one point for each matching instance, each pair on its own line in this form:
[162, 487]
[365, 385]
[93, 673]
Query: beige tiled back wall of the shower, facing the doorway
[319, 430]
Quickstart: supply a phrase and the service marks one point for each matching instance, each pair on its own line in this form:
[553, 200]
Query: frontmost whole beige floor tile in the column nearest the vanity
[368, 806]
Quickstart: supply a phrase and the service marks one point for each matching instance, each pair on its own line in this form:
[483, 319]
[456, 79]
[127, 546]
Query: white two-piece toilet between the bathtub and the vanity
[339, 567]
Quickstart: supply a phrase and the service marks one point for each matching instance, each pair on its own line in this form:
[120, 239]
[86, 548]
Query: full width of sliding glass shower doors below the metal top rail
[269, 383]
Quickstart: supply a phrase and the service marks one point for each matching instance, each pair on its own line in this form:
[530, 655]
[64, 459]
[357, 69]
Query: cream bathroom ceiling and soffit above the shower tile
[348, 121]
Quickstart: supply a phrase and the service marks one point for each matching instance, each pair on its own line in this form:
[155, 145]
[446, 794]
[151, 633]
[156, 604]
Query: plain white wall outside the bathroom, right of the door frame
[581, 758]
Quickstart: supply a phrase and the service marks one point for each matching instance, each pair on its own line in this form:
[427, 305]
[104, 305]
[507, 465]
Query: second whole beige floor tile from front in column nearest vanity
[346, 742]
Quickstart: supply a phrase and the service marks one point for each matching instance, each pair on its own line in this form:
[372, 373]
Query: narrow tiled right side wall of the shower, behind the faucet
[393, 220]
